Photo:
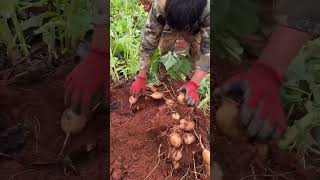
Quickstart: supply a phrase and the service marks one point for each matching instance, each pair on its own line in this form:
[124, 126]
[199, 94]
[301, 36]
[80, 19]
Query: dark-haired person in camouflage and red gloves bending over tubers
[172, 24]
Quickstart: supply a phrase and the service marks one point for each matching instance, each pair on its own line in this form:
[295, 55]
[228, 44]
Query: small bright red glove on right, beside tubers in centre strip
[191, 91]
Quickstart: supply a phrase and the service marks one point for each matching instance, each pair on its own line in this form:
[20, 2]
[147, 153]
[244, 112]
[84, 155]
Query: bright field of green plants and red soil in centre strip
[140, 133]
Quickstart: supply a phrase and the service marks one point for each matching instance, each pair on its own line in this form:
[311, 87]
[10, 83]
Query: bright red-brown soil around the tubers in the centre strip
[135, 139]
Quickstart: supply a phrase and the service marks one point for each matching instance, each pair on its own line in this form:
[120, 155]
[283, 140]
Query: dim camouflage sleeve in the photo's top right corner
[299, 15]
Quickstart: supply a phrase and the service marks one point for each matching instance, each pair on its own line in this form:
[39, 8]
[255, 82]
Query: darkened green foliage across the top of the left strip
[65, 21]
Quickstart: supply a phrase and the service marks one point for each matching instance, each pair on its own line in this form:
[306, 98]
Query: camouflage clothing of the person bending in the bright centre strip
[159, 34]
